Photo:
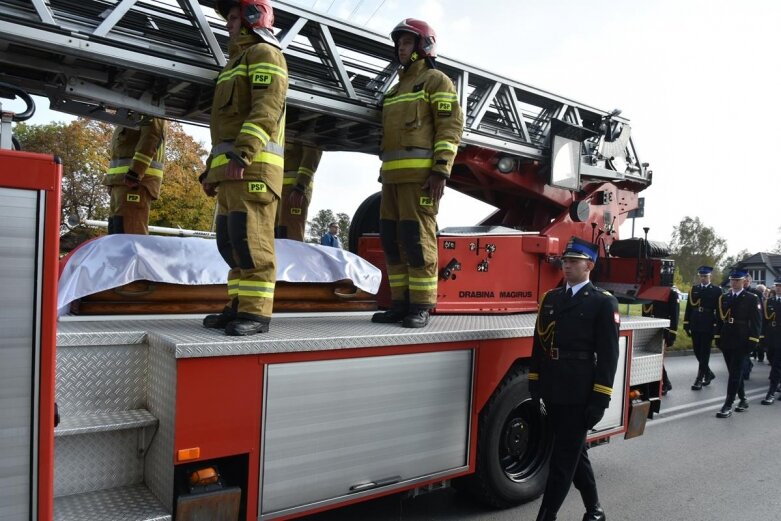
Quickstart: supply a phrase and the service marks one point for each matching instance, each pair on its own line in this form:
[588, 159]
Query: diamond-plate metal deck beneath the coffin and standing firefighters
[188, 339]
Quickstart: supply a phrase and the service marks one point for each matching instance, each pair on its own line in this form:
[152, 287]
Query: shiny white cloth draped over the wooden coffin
[115, 260]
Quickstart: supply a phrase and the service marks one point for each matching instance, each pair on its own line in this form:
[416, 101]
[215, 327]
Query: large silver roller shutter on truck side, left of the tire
[334, 429]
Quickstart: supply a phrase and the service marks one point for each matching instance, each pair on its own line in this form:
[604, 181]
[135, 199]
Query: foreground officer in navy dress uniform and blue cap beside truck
[574, 360]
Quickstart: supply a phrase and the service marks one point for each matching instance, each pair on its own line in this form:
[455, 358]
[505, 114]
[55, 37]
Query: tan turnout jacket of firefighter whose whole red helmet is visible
[422, 124]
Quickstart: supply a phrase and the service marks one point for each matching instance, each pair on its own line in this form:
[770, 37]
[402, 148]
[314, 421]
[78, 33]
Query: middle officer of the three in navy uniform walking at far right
[739, 321]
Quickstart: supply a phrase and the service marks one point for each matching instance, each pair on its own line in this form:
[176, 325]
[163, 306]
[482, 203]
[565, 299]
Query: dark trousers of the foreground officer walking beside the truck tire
[569, 463]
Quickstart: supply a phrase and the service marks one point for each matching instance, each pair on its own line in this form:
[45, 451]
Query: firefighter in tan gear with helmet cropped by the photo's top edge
[244, 169]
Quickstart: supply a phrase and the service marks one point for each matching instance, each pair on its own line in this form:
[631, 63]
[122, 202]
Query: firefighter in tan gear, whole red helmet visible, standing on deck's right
[422, 126]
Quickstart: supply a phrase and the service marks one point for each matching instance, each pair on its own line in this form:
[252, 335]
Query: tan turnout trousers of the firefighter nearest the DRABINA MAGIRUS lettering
[408, 231]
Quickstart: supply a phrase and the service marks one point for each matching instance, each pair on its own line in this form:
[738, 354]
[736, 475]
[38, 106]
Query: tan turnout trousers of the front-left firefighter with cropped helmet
[245, 238]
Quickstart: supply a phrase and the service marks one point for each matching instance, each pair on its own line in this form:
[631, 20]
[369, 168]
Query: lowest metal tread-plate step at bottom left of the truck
[133, 503]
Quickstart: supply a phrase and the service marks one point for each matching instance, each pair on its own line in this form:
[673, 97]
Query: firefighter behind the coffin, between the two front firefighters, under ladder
[301, 163]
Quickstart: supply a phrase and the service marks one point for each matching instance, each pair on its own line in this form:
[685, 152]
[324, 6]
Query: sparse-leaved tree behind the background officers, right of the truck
[694, 244]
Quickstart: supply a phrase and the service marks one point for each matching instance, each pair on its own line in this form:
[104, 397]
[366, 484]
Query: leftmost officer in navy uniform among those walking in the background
[699, 322]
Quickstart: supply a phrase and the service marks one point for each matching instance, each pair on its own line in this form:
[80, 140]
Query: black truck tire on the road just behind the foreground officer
[513, 447]
